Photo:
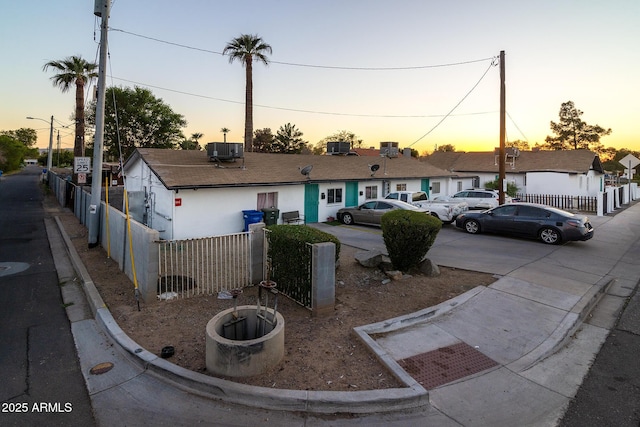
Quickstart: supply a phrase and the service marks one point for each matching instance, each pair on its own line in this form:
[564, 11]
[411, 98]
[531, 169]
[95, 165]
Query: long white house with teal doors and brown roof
[183, 194]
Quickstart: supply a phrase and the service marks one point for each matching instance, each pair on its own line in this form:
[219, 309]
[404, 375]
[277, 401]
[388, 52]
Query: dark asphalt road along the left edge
[39, 369]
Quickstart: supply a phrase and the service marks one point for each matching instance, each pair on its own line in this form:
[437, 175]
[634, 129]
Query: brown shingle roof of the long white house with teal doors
[190, 168]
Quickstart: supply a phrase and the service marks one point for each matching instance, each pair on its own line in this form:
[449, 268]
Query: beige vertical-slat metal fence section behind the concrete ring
[203, 266]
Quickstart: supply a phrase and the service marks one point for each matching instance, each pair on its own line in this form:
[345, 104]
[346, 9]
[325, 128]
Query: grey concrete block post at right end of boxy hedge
[323, 278]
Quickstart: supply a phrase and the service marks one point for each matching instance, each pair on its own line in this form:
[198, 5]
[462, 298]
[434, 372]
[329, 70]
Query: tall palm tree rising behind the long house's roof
[245, 48]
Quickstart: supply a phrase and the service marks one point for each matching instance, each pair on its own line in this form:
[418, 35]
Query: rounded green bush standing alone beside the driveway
[408, 236]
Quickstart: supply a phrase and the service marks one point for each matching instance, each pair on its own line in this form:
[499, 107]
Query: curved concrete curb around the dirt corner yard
[321, 402]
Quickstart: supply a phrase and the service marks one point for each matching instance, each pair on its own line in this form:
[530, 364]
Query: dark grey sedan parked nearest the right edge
[551, 225]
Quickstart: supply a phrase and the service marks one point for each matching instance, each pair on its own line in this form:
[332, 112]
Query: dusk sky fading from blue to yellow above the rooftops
[422, 73]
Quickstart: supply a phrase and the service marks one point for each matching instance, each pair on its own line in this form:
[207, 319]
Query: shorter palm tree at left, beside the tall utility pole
[74, 70]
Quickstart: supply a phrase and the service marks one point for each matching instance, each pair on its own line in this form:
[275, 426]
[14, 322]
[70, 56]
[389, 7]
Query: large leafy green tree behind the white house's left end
[142, 121]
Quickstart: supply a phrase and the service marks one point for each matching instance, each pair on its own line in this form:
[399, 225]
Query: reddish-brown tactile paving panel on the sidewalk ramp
[446, 364]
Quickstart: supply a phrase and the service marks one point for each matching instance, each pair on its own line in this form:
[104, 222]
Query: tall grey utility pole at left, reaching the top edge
[102, 9]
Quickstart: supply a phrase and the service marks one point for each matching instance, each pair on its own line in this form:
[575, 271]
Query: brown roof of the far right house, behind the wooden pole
[569, 161]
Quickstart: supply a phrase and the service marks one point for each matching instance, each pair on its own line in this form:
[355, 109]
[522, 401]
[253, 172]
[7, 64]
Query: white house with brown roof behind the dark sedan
[564, 172]
